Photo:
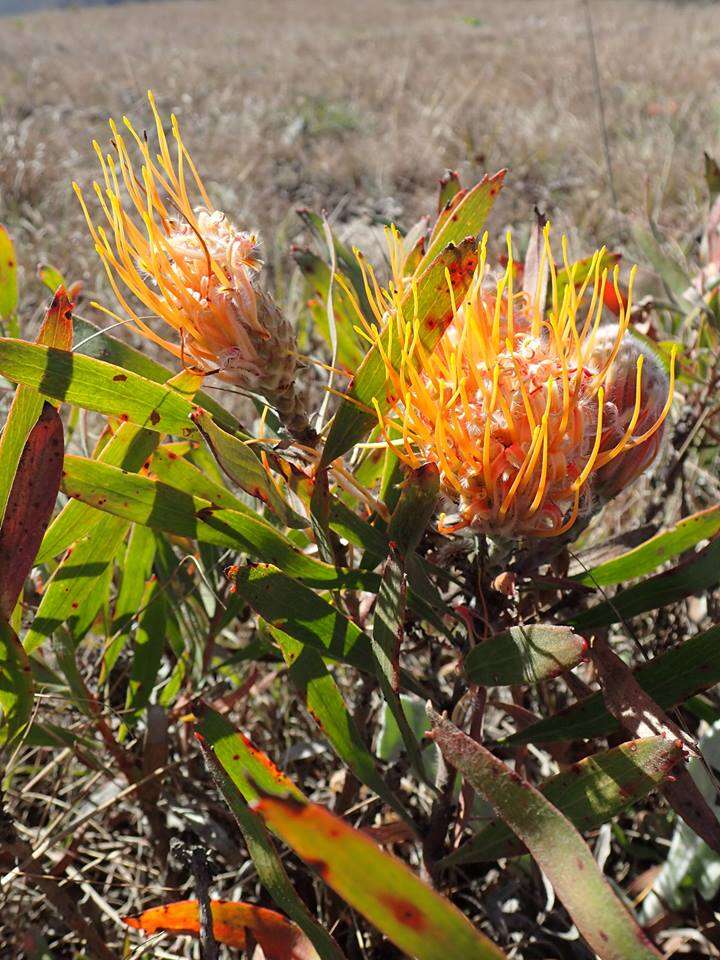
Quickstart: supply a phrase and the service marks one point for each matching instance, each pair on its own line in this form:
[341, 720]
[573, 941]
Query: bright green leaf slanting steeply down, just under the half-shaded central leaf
[326, 706]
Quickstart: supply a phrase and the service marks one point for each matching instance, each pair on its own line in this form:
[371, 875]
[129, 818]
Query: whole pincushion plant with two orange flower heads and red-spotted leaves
[347, 563]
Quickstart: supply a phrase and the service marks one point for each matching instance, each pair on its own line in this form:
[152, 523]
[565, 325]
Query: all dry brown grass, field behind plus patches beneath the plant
[356, 109]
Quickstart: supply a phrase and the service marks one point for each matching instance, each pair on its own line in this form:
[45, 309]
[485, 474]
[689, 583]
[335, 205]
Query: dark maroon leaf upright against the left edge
[30, 505]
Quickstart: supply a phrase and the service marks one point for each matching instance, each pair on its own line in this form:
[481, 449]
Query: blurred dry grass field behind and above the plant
[358, 109]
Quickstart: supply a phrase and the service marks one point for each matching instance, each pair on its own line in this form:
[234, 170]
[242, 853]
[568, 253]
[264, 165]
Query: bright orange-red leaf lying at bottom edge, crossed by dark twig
[279, 938]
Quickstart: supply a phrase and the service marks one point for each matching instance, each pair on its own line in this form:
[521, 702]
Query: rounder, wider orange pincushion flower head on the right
[534, 417]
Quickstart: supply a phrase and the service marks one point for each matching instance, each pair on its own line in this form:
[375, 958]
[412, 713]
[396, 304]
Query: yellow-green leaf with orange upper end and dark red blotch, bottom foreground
[421, 922]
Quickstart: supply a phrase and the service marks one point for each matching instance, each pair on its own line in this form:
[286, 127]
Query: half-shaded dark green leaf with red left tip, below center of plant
[303, 615]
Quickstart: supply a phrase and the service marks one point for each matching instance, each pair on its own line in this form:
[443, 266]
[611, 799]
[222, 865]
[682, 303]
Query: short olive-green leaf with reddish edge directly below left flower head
[241, 464]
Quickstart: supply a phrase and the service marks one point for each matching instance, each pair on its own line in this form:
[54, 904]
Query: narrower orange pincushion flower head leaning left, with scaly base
[165, 243]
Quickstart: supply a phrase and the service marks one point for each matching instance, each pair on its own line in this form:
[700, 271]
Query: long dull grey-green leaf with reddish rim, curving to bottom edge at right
[557, 847]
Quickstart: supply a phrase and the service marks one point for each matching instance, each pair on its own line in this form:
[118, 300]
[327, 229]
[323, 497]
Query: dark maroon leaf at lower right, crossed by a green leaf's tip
[641, 716]
